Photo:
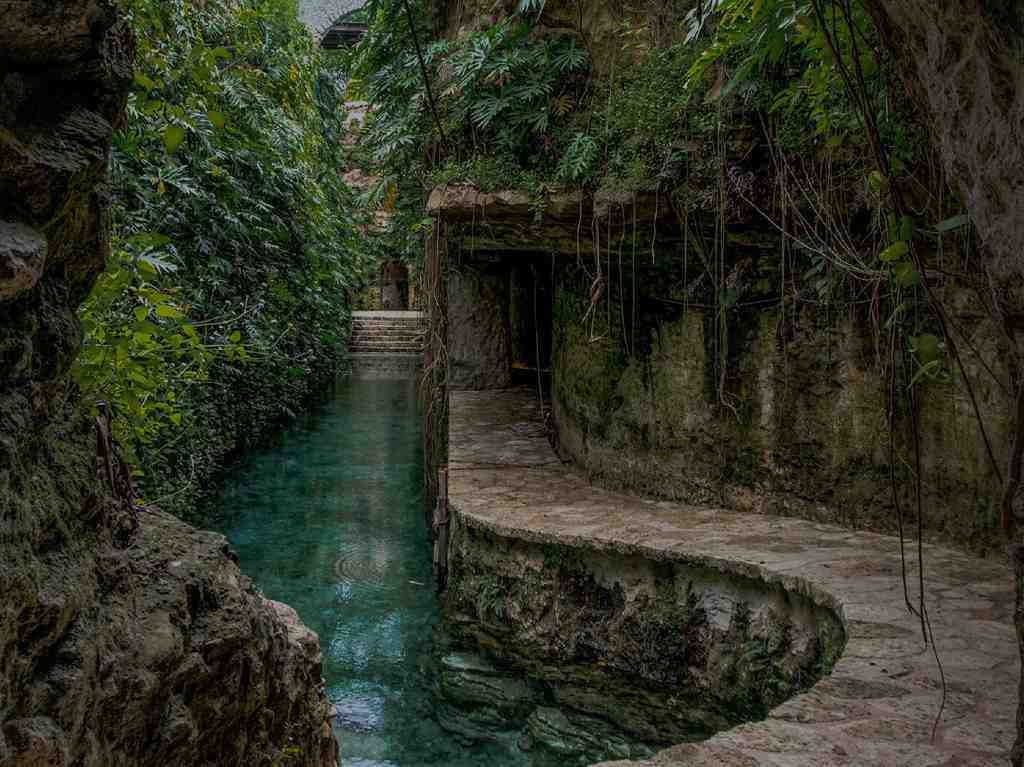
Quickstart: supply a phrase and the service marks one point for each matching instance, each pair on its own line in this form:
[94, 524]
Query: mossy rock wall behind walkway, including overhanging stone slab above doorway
[784, 413]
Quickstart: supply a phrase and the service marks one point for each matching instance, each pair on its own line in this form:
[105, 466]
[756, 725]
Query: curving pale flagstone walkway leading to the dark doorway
[878, 707]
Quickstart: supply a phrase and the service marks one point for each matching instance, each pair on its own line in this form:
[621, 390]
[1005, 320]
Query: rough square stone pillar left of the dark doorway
[480, 336]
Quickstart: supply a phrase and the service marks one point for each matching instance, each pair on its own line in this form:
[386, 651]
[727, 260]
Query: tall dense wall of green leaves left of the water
[227, 302]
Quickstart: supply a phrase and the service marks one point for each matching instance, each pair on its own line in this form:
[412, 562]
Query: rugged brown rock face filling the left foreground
[126, 637]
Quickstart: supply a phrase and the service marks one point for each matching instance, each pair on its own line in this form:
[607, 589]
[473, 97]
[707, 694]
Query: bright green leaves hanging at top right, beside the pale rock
[782, 57]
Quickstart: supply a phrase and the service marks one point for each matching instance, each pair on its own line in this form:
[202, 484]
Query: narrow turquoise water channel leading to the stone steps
[331, 523]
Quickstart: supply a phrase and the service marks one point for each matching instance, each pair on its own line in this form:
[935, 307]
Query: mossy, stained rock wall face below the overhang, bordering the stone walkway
[786, 414]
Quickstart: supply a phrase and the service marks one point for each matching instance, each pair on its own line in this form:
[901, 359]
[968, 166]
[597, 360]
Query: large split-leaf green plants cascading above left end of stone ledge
[505, 102]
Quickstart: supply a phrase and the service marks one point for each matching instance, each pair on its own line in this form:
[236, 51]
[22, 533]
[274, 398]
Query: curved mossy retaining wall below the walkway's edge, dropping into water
[626, 656]
